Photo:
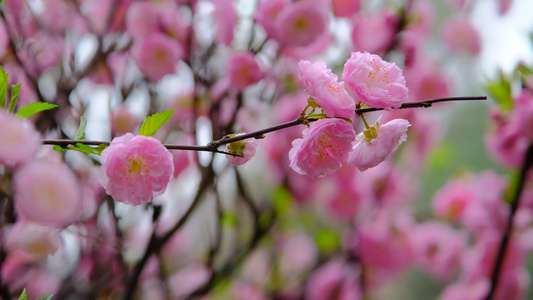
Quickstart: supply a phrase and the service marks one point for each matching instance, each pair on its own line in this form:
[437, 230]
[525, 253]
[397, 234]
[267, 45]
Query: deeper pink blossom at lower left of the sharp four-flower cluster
[323, 149]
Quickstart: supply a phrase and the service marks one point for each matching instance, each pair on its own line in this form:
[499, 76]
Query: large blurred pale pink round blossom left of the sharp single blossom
[47, 193]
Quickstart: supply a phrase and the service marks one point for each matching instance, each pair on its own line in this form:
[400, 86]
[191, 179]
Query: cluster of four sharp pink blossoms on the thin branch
[328, 144]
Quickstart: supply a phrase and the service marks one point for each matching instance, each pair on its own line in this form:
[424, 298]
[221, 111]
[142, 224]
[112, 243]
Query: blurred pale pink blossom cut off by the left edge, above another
[19, 139]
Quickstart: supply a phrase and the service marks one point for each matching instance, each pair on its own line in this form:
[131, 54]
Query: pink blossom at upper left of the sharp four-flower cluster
[321, 84]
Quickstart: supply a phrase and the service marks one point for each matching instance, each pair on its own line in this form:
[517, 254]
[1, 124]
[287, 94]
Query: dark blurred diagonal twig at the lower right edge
[498, 264]
